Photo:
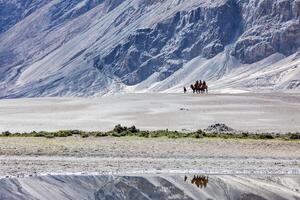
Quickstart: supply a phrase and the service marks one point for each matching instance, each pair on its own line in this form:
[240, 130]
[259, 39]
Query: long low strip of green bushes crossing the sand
[122, 131]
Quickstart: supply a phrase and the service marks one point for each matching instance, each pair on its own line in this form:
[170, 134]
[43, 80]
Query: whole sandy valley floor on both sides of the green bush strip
[253, 112]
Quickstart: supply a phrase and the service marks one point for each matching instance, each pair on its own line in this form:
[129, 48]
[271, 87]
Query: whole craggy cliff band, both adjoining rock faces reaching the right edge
[257, 29]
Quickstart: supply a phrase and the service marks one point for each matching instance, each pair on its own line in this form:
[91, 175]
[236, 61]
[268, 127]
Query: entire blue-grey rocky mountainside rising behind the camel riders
[94, 47]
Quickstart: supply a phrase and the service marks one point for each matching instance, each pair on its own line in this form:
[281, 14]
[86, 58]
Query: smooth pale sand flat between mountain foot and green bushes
[278, 112]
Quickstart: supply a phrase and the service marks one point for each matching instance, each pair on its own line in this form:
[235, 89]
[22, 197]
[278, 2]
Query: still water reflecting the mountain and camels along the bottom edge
[152, 187]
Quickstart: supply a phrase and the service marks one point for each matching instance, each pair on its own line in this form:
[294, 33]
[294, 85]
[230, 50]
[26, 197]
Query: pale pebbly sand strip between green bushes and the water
[27, 156]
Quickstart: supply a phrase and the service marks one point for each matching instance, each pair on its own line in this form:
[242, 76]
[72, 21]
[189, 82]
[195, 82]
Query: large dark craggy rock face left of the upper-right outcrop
[165, 47]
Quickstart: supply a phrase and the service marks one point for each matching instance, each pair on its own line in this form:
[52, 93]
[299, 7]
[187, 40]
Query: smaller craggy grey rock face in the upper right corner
[268, 27]
